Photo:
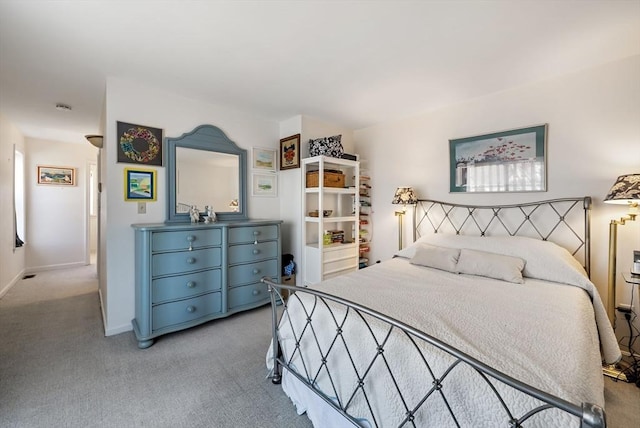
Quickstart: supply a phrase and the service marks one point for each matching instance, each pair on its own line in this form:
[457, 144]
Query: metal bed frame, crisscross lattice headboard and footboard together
[438, 217]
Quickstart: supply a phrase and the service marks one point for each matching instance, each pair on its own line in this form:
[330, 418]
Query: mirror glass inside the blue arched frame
[206, 178]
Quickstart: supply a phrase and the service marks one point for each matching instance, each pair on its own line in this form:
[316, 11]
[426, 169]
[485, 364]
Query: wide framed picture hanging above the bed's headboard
[507, 161]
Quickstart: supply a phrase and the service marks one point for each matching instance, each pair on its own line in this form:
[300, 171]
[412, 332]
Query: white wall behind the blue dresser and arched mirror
[175, 115]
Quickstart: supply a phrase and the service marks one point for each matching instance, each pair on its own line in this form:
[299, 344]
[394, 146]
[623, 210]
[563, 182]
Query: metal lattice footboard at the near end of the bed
[343, 311]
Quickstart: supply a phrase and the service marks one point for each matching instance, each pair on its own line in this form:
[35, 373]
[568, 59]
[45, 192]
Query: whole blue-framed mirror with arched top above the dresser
[204, 167]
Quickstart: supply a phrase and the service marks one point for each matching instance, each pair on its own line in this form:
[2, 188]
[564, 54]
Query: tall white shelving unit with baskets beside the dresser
[323, 259]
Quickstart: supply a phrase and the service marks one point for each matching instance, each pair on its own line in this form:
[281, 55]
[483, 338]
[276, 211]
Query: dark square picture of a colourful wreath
[139, 144]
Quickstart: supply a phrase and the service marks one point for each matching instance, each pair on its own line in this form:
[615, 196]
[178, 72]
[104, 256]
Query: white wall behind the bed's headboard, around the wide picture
[593, 136]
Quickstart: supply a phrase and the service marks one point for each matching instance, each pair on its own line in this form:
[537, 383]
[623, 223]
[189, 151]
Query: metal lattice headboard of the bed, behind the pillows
[565, 221]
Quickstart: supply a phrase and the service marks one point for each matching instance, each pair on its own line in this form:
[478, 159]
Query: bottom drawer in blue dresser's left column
[182, 311]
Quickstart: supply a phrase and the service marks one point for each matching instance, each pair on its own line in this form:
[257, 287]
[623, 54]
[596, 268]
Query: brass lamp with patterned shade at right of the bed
[625, 191]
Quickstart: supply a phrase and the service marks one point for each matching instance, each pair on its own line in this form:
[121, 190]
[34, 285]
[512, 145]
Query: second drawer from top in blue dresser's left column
[185, 261]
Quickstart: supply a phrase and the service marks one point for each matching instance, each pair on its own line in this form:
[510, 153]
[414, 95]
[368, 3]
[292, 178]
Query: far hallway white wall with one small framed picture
[57, 215]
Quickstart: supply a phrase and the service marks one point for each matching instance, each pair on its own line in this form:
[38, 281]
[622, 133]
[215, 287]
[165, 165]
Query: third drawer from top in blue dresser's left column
[179, 287]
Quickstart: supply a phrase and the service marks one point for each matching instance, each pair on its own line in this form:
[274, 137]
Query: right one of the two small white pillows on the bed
[491, 265]
